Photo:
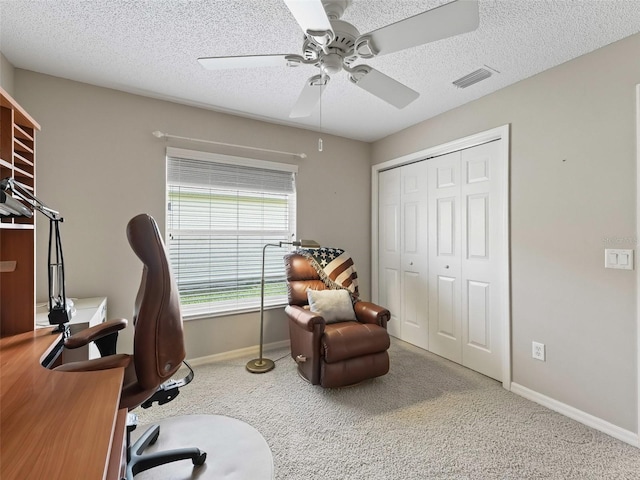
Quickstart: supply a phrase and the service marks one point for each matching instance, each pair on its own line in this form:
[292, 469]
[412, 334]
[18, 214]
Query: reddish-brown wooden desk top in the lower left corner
[55, 425]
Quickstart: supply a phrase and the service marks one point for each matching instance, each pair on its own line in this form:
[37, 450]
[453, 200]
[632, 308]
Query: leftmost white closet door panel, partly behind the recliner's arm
[389, 268]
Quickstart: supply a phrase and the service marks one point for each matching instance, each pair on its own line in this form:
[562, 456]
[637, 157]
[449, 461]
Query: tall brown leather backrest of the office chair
[158, 347]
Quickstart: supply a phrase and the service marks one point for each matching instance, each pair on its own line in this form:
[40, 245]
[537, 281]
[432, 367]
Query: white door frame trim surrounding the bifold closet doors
[498, 133]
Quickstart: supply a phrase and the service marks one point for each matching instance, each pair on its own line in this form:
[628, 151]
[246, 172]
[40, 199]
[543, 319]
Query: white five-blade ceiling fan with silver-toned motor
[332, 45]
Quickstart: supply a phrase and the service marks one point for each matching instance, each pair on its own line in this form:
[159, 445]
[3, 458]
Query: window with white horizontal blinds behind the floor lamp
[221, 212]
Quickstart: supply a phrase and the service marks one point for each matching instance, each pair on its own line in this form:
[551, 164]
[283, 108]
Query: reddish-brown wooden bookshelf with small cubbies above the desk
[17, 235]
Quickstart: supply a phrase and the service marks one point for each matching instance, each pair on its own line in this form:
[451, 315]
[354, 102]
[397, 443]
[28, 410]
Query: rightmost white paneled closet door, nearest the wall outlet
[481, 229]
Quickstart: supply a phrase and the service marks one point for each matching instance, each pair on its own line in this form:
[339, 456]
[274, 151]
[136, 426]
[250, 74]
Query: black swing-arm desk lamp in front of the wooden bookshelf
[59, 311]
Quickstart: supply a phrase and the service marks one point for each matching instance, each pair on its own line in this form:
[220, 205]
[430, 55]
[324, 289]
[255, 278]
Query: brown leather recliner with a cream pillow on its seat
[335, 354]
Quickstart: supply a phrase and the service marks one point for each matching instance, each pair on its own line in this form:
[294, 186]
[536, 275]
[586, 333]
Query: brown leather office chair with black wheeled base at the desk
[158, 350]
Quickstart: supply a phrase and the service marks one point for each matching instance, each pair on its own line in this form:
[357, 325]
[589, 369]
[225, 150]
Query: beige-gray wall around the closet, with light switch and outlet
[573, 187]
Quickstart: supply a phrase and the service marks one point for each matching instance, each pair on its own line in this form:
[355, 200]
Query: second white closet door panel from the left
[414, 255]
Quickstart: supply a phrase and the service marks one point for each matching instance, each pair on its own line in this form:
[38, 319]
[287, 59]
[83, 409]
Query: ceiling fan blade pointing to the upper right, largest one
[459, 16]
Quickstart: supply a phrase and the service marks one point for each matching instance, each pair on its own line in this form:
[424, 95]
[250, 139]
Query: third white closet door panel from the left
[445, 335]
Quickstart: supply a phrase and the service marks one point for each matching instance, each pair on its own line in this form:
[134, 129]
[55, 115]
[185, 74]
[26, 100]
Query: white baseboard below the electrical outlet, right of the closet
[578, 415]
